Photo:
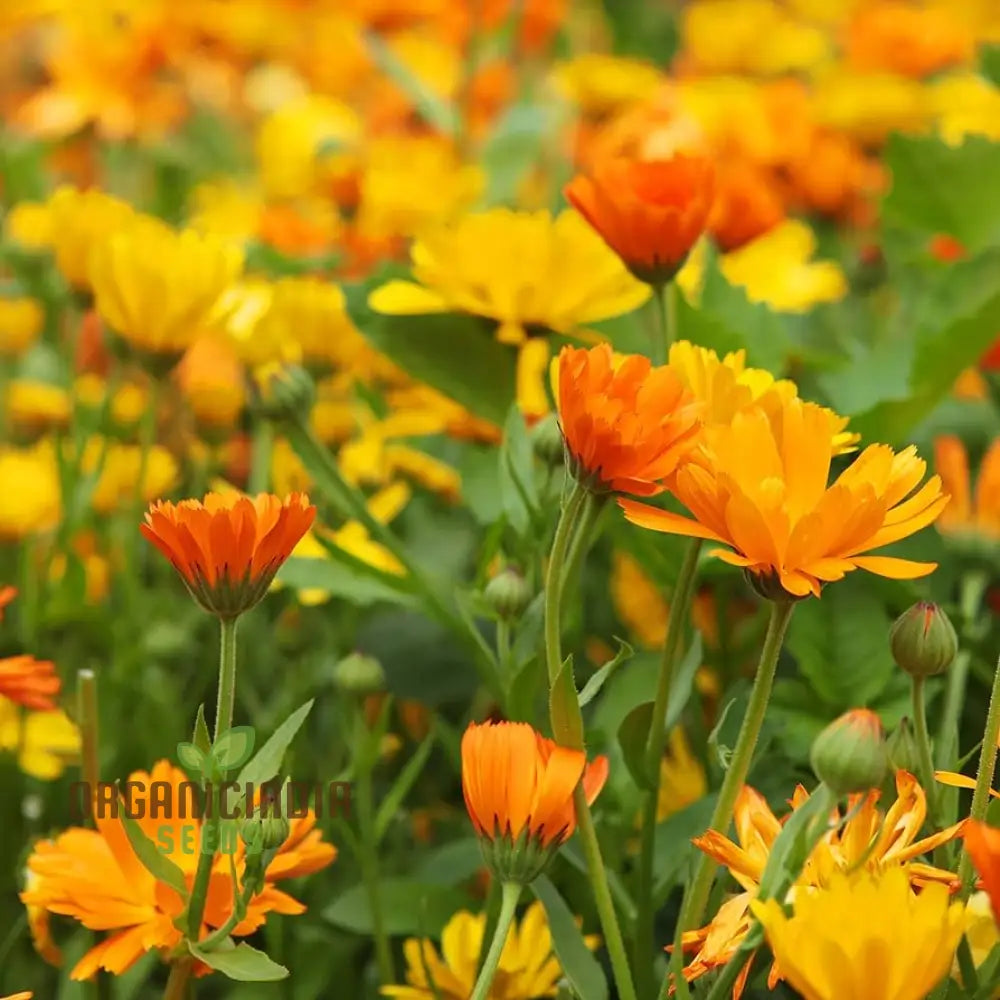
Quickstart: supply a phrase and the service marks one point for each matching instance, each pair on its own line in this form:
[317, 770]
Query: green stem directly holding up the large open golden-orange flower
[697, 893]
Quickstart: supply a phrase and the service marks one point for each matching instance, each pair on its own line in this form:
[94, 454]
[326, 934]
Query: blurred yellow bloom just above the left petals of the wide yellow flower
[409, 183]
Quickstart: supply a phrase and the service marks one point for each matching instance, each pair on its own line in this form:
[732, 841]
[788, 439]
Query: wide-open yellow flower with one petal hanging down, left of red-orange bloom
[528, 272]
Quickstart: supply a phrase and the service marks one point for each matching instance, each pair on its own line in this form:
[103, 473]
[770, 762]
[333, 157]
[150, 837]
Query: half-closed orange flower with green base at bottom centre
[518, 787]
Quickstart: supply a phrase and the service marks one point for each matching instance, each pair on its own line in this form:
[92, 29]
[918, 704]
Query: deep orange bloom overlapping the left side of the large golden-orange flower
[626, 424]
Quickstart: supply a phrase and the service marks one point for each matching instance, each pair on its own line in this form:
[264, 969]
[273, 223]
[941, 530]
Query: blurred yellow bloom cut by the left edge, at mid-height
[36, 504]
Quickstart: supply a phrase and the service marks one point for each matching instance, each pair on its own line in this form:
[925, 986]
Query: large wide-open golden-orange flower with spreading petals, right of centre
[759, 485]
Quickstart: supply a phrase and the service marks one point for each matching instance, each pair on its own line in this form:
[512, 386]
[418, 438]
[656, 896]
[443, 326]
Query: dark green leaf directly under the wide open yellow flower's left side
[455, 353]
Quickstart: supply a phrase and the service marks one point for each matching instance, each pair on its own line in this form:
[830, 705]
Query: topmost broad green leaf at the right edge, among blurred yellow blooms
[937, 188]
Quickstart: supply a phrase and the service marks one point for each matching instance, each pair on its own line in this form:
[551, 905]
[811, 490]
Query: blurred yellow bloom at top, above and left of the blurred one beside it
[290, 142]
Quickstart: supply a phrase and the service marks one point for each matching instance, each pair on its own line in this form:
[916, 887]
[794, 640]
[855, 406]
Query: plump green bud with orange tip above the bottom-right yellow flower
[850, 754]
